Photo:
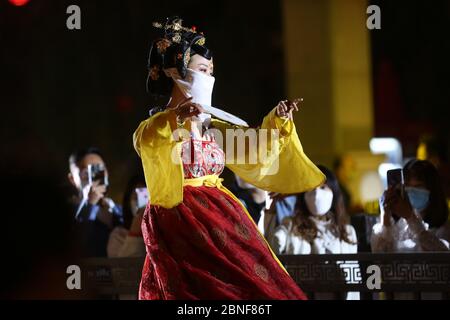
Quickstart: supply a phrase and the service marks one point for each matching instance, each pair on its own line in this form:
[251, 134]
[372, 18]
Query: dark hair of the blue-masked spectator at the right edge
[436, 214]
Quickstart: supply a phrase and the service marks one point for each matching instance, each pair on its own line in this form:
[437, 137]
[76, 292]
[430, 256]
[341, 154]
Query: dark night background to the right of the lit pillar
[411, 70]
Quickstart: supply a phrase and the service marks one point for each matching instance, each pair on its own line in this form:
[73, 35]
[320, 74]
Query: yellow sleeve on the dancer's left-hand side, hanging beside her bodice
[160, 154]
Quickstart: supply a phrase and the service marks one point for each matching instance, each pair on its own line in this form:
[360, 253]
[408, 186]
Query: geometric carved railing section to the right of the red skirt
[399, 271]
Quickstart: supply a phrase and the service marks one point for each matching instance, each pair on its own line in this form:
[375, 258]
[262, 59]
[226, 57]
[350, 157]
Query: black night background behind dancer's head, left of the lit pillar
[64, 89]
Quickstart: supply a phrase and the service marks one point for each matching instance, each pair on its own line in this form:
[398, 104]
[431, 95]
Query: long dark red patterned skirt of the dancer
[208, 248]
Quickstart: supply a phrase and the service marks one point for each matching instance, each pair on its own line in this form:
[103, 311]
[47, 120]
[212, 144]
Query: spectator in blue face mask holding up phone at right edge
[418, 221]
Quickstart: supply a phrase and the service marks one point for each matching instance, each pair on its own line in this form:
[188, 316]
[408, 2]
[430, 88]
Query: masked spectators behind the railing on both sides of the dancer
[413, 217]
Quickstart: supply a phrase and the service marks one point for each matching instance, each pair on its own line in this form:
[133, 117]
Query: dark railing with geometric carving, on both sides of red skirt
[400, 272]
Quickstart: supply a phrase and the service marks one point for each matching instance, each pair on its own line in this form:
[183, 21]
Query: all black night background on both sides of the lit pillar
[61, 89]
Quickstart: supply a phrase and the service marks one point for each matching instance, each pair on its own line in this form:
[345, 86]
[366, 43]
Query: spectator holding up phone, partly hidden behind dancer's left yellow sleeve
[127, 240]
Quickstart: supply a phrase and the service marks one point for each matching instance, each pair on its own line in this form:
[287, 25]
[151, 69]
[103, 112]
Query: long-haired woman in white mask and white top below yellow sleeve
[319, 226]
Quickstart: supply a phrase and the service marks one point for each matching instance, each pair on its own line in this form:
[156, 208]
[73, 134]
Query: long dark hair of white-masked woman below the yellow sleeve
[302, 220]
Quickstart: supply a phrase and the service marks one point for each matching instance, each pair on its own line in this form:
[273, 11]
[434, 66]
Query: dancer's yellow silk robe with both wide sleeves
[155, 144]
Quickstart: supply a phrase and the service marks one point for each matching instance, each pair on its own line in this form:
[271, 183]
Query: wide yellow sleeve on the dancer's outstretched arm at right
[281, 165]
